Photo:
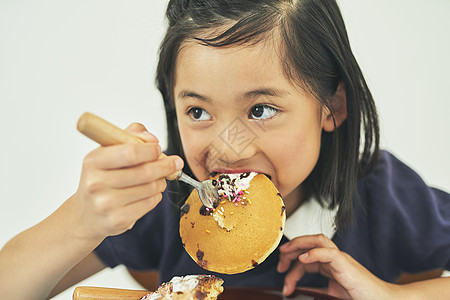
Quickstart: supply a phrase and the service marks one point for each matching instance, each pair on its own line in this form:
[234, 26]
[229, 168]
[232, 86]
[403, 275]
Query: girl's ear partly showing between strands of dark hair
[339, 107]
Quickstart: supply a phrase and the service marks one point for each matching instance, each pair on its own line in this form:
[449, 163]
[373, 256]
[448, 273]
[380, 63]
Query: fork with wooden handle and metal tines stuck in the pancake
[107, 134]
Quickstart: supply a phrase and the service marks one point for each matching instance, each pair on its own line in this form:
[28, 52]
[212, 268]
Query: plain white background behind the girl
[60, 58]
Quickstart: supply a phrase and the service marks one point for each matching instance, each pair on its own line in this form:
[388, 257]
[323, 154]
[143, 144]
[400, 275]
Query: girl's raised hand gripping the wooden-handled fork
[121, 183]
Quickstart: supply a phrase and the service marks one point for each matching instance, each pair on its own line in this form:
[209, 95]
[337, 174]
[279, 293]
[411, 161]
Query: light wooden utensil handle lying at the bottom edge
[101, 293]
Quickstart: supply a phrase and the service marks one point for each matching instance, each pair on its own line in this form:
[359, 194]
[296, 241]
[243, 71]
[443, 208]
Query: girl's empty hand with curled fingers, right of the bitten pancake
[317, 253]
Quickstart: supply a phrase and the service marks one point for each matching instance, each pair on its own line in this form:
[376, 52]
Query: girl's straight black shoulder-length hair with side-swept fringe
[316, 55]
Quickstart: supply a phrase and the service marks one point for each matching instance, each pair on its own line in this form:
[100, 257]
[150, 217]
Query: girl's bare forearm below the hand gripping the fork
[34, 261]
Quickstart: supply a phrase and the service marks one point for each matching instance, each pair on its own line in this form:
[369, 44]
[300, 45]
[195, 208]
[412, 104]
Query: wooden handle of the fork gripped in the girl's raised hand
[107, 134]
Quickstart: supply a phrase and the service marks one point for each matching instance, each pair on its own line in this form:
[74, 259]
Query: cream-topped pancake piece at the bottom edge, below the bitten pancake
[190, 287]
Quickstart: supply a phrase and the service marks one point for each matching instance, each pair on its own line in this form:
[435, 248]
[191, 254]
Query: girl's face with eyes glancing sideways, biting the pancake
[238, 112]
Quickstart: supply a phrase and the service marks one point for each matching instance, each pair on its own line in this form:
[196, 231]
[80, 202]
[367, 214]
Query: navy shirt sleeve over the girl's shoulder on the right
[400, 219]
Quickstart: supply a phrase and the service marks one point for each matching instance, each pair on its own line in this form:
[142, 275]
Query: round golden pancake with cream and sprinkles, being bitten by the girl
[244, 228]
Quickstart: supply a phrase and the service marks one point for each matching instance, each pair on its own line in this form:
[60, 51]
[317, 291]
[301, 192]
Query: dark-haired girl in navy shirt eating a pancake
[269, 86]
